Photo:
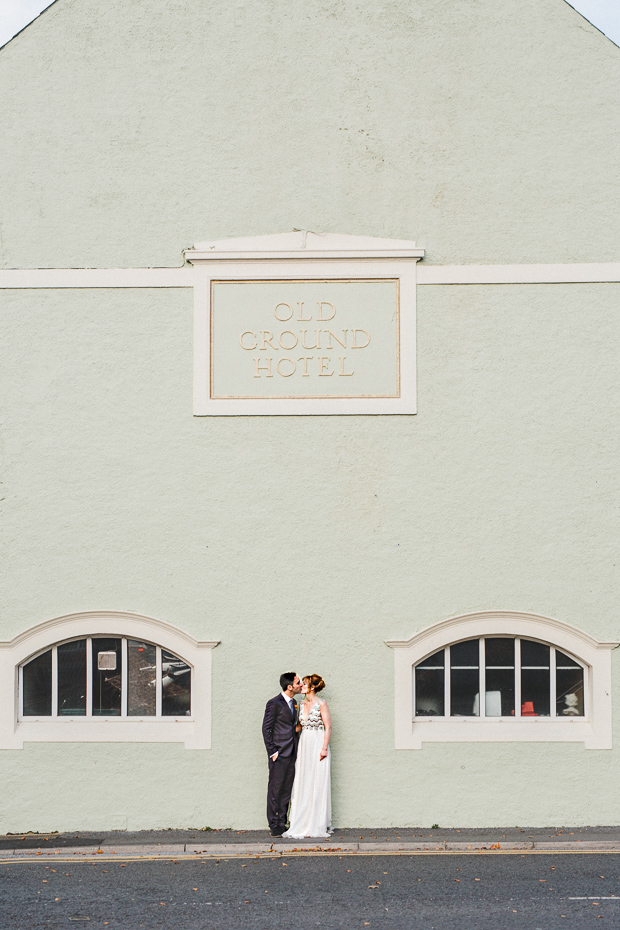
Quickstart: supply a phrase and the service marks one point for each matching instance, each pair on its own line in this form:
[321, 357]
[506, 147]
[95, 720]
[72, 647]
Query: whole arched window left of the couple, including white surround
[106, 676]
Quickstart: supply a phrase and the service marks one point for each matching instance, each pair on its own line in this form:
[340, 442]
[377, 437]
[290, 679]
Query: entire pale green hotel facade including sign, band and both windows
[431, 517]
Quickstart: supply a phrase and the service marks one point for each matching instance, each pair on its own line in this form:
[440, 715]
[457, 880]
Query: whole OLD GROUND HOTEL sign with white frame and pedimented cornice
[304, 323]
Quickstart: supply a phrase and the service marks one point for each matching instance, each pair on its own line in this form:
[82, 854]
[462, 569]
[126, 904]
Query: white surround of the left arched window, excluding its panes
[194, 731]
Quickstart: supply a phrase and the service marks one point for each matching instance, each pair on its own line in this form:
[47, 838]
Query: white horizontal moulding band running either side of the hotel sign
[33, 278]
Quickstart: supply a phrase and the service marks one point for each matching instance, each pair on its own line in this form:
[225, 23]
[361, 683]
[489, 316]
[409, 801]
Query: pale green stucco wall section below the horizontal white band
[324, 535]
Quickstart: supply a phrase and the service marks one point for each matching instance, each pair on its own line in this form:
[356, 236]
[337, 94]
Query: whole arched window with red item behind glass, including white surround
[502, 676]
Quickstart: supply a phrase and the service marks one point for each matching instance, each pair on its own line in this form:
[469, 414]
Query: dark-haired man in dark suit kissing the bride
[281, 738]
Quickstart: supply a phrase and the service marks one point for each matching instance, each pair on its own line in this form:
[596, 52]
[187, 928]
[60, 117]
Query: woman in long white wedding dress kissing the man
[311, 802]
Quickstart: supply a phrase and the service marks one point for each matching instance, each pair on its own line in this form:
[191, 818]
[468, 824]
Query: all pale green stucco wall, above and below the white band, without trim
[482, 129]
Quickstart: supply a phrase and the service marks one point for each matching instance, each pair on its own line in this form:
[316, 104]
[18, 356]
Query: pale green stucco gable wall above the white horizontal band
[485, 129]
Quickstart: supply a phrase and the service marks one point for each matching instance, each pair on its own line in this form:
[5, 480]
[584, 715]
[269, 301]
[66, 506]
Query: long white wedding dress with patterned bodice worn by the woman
[311, 801]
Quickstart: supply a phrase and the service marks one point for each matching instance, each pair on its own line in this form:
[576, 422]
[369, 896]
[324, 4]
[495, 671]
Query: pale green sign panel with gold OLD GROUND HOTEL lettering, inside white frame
[314, 339]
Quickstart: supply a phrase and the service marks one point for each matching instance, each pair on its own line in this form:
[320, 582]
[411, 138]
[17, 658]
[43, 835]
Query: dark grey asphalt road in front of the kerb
[442, 892]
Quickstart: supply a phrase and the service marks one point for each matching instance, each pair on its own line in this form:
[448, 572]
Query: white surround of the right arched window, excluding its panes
[594, 729]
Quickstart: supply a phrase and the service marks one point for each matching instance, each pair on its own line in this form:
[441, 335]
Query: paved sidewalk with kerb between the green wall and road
[214, 843]
